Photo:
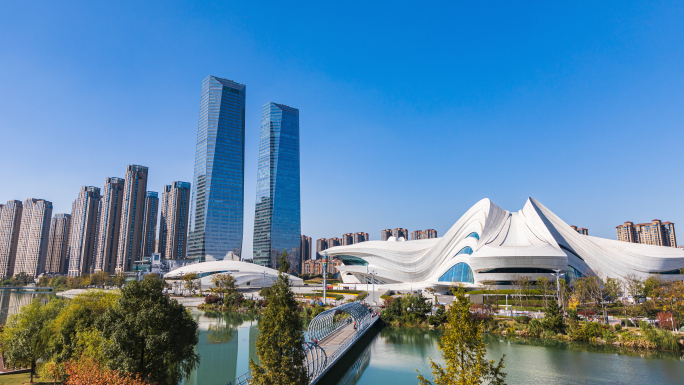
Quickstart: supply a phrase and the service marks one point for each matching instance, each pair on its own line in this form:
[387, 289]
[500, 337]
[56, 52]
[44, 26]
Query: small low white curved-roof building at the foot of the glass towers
[245, 274]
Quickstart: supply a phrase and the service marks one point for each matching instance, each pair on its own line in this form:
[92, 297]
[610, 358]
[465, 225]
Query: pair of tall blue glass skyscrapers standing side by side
[217, 202]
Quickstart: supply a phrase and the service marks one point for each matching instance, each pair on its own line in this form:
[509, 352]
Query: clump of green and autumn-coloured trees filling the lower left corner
[136, 335]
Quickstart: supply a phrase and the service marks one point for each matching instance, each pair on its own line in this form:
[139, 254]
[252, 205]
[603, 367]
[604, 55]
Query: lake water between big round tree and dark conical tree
[226, 343]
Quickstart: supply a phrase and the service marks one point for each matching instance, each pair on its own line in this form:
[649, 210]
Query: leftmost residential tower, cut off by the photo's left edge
[10, 222]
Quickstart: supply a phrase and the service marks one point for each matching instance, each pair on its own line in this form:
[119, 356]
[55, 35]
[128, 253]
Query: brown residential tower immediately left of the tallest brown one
[110, 224]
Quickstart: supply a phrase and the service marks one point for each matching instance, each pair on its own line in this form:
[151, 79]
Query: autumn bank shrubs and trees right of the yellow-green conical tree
[647, 315]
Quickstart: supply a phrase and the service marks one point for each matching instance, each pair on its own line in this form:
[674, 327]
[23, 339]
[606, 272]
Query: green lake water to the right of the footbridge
[395, 354]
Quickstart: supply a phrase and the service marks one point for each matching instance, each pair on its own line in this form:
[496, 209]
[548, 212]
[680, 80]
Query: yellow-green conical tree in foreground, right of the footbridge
[464, 351]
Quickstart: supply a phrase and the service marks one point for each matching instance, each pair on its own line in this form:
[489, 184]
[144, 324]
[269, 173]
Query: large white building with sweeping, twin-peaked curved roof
[489, 243]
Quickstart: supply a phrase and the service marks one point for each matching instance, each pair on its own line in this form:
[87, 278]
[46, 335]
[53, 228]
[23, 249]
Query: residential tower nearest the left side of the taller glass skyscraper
[173, 227]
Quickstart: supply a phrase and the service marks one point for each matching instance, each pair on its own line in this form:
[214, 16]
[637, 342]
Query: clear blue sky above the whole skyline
[409, 113]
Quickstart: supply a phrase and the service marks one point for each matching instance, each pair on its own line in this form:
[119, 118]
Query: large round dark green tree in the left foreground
[149, 333]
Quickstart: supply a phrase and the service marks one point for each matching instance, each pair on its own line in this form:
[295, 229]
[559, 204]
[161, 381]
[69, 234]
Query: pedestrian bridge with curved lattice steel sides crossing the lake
[329, 336]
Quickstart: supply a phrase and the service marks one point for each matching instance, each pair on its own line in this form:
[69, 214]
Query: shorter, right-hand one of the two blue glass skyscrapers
[277, 222]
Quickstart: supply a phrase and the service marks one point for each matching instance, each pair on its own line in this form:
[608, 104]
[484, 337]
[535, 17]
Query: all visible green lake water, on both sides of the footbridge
[390, 356]
